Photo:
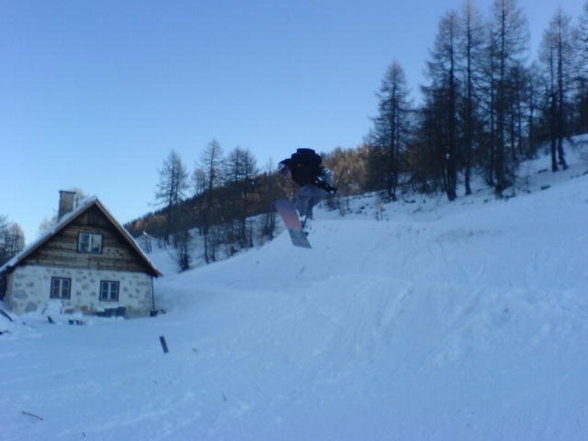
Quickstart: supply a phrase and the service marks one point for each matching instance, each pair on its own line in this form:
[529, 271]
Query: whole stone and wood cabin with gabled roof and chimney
[88, 262]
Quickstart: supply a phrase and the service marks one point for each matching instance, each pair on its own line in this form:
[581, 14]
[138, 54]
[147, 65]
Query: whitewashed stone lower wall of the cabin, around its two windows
[29, 288]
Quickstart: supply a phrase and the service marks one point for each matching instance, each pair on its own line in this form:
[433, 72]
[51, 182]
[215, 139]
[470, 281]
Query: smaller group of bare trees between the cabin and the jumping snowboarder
[225, 205]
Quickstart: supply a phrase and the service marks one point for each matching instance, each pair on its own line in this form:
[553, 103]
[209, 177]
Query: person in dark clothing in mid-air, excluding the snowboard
[305, 168]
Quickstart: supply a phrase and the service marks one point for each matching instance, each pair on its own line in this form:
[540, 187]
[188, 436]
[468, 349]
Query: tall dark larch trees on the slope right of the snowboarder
[484, 107]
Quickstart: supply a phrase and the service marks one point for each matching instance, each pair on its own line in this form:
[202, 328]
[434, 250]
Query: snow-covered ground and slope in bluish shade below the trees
[443, 321]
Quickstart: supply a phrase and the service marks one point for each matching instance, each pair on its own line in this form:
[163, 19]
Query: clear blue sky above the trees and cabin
[95, 94]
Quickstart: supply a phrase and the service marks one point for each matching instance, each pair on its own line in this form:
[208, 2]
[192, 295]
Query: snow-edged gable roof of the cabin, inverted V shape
[67, 219]
